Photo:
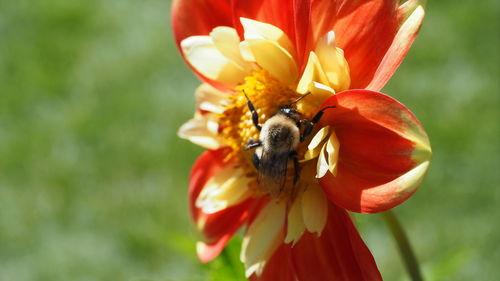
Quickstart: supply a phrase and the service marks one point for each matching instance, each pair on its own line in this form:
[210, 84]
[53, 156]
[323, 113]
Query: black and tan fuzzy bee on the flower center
[279, 139]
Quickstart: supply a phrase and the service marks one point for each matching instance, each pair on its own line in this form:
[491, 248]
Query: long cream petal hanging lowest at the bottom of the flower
[263, 237]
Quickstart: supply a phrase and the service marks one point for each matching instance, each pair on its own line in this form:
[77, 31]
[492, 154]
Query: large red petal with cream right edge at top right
[367, 32]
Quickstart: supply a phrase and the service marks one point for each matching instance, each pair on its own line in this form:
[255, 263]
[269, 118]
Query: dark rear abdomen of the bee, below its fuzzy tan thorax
[272, 172]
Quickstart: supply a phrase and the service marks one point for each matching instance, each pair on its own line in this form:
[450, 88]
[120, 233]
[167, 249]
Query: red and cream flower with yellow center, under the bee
[368, 154]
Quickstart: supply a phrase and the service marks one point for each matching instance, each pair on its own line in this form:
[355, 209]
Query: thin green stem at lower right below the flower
[404, 246]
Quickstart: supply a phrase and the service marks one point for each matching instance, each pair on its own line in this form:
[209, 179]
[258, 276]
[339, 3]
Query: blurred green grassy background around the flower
[93, 178]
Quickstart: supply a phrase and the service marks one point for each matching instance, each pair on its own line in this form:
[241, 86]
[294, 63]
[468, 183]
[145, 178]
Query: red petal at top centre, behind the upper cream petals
[291, 16]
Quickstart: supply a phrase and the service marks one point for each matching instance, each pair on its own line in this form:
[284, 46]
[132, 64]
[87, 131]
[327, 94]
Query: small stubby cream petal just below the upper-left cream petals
[210, 99]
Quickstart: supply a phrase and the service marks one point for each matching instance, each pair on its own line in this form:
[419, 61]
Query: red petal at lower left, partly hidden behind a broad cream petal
[217, 228]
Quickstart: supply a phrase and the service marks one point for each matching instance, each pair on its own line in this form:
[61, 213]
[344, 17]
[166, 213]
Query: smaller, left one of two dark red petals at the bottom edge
[278, 268]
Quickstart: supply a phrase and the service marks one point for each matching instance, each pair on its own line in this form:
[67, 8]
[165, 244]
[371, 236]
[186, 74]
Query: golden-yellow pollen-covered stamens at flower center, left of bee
[267, 94]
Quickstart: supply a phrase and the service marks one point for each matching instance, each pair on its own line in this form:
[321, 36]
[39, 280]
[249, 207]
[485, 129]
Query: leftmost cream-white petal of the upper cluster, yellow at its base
[203, 55]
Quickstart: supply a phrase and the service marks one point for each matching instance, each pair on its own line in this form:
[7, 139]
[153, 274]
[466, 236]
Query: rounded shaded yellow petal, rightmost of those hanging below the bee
[314, 208]
